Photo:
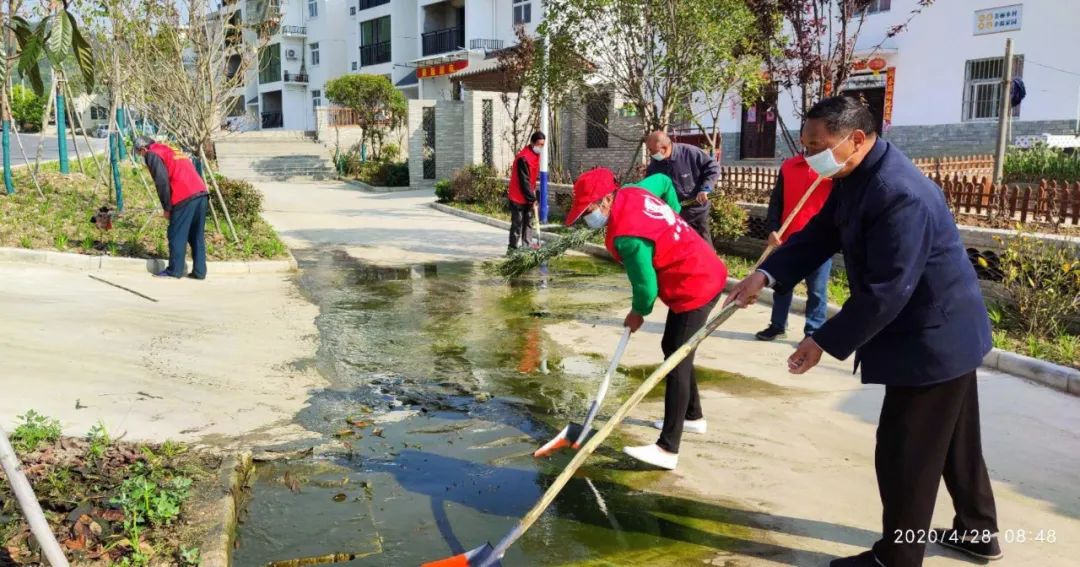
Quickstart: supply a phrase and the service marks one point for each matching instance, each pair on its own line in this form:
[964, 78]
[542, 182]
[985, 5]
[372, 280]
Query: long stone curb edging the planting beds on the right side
[1061, 379]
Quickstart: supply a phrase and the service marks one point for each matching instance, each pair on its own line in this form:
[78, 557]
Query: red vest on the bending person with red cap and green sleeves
[690, 274]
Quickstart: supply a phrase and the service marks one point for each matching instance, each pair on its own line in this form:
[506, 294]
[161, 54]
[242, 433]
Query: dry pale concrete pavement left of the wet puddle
[213, 360]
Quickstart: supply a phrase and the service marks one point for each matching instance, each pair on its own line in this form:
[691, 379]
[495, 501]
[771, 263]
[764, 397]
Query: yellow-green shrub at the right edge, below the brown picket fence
[1043, 278]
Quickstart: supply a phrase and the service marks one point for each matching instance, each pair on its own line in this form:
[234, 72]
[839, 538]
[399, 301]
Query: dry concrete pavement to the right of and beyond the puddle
[794, 454]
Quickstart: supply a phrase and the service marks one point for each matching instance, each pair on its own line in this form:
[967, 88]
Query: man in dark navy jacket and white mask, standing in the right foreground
[916, 323]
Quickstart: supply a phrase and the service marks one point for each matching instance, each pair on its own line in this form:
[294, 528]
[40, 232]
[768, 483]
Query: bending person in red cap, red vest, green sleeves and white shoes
[665, 258]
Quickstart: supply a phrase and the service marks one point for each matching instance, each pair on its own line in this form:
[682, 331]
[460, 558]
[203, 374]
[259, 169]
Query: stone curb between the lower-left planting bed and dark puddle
[235, 477]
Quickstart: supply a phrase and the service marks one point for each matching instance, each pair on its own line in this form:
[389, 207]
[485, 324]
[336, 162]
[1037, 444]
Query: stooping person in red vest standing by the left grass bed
[185, 199]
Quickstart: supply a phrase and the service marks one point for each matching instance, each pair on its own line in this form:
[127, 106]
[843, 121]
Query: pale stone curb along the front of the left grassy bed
[86, 262]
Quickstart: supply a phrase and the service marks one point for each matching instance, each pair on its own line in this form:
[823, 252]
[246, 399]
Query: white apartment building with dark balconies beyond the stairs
[415, 44]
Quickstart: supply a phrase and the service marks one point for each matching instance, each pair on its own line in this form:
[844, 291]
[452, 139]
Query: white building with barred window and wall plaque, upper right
[935, 88]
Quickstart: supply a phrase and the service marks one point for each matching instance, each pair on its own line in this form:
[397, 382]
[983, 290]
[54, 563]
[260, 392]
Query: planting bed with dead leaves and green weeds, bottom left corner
[107, 502]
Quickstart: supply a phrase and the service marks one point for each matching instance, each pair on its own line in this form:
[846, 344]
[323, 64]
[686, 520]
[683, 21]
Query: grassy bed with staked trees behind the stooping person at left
[62, 220]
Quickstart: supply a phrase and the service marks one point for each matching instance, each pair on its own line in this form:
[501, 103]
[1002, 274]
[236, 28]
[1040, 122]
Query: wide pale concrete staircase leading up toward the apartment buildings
[274, 156]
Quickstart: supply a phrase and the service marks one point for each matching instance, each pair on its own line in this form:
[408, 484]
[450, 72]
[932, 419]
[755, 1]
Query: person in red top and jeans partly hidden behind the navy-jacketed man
[792, 184]
